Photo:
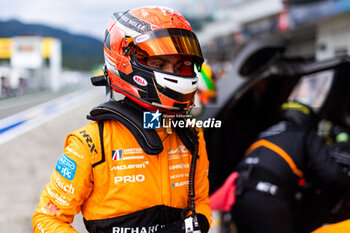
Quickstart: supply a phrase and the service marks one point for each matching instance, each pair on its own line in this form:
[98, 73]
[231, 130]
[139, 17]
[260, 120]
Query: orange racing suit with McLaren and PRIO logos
[125, 190]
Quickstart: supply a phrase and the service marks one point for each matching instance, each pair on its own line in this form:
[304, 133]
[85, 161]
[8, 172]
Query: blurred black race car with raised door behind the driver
[270, 79]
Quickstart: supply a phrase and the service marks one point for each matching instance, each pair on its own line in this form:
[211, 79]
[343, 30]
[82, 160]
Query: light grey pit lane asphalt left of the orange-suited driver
[28, 160]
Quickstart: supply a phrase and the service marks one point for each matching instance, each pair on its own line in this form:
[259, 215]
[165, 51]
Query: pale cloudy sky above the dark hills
[88, 17]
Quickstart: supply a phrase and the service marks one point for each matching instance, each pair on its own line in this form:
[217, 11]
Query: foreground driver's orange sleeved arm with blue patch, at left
[69, 186]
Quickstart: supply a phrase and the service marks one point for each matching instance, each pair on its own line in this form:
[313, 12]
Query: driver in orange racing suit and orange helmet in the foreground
[115, 172]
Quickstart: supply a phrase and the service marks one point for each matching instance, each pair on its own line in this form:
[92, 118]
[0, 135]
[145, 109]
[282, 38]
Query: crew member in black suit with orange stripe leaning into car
[283, 157]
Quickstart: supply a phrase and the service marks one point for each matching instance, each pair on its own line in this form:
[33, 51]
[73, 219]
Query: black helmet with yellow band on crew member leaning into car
[298, 113]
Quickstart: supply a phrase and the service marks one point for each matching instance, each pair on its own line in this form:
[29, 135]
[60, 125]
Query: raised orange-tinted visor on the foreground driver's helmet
[167, 42]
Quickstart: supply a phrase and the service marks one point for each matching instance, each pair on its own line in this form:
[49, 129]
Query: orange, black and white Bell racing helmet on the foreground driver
[137, 34]
